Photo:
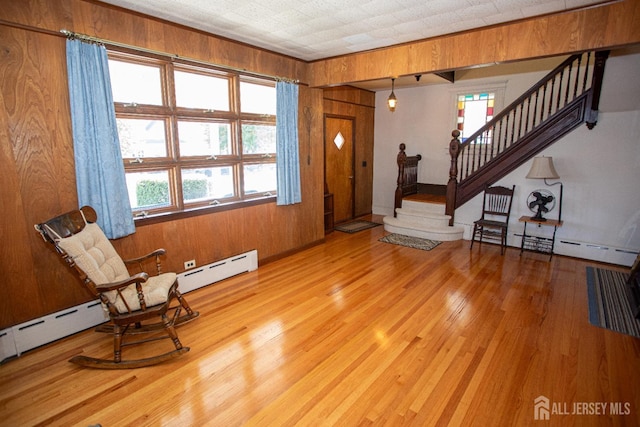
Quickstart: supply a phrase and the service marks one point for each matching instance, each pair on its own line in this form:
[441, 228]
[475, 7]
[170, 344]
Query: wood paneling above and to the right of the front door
[360, 105]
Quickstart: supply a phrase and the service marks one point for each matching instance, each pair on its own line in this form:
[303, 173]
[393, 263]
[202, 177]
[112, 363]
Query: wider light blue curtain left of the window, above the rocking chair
[99, 170]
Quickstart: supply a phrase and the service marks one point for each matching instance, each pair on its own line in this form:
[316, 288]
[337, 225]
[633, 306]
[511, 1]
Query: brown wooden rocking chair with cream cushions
[137, 304]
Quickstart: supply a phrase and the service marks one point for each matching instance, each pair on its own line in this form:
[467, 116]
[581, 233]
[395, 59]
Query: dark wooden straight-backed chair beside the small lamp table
[494, 222]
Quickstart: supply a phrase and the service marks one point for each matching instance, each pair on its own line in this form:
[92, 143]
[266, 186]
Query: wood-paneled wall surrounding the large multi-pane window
[38, 177]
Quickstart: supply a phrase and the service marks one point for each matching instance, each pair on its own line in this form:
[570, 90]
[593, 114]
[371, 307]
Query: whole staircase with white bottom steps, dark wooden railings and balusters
[565, 98]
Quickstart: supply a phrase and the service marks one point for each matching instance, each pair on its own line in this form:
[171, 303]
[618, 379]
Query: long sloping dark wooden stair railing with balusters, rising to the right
[557, 104]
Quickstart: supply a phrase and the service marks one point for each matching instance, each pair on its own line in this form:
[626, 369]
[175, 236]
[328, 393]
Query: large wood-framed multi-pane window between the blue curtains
[192, 136]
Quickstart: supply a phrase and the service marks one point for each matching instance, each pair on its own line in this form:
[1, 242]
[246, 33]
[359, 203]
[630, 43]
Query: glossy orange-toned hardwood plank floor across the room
[356, 332]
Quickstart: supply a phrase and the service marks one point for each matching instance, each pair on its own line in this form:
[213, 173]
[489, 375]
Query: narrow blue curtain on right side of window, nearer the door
[287, 159]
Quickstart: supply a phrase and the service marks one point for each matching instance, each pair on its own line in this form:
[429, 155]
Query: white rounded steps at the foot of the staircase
[424, 219]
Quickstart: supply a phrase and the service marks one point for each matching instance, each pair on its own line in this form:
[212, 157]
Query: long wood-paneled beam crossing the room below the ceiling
[600, 27]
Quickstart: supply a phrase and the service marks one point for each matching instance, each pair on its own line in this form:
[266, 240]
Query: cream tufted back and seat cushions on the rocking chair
[93, 253]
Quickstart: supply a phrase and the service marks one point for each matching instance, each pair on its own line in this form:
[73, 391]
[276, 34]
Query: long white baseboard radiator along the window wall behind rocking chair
[37, 332]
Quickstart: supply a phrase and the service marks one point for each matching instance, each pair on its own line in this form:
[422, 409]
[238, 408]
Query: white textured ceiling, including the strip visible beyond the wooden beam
[317, 29]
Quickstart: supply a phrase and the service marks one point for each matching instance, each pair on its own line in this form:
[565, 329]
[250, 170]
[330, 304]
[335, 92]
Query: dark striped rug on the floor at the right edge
[609, 305]
